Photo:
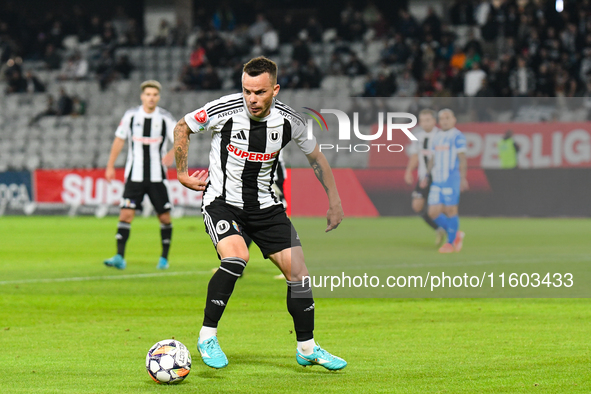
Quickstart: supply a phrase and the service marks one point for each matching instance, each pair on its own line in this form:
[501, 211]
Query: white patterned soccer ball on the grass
[168, 361]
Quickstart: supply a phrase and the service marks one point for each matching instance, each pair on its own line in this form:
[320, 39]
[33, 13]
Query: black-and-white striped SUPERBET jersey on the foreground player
[245, 149]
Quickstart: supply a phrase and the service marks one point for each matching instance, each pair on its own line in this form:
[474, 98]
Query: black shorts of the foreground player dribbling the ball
[269, 228]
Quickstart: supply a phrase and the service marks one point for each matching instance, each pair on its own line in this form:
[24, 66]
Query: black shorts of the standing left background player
[134, 193]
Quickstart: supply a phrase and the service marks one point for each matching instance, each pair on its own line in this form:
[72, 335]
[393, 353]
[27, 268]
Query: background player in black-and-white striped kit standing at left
[148, 130]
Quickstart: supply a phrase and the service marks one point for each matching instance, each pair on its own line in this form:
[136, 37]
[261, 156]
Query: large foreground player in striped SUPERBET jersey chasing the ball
[248, 130]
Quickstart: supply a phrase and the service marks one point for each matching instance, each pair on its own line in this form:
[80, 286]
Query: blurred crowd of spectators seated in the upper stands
[479, 48]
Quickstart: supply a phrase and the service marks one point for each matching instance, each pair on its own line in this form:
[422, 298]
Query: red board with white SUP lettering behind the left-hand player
[89, 187]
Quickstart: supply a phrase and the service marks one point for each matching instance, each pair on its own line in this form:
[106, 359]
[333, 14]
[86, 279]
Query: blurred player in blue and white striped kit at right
[448, 168]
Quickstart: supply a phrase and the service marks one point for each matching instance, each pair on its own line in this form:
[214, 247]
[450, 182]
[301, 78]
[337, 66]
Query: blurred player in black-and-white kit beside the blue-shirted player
[420, 152]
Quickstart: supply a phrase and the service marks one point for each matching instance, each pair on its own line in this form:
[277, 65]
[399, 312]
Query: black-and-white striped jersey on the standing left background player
[147, 137]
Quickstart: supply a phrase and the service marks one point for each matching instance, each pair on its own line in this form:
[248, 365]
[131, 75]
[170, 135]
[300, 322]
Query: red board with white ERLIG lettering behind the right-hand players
[542, 145]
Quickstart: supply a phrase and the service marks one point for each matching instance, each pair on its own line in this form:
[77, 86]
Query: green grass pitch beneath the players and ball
[70, 325]
